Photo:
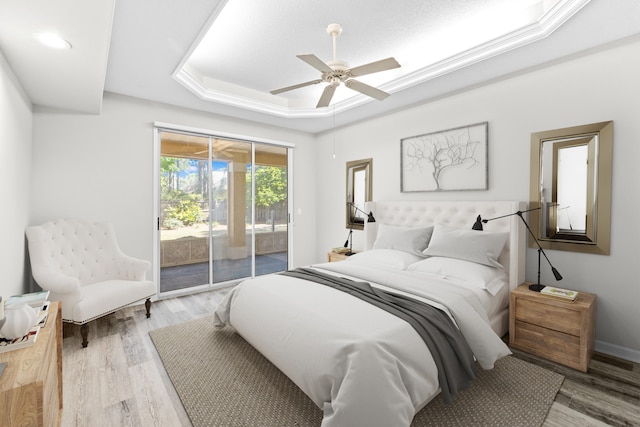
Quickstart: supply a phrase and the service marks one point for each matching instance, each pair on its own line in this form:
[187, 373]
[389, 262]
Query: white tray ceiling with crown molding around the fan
[225, 56]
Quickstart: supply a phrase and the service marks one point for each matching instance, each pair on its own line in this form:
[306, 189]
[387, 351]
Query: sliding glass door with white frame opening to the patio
[223, 210]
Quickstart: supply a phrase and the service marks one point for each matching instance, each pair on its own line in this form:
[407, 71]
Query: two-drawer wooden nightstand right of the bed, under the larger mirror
[556, 329]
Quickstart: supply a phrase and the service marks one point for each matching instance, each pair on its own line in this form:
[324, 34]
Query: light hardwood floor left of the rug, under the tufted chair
[119, 380]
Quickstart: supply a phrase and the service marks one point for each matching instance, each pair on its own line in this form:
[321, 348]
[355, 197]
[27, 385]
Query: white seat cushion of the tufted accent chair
[102, 298]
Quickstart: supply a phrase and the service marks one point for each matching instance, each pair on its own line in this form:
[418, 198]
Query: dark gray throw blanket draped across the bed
[451, 352]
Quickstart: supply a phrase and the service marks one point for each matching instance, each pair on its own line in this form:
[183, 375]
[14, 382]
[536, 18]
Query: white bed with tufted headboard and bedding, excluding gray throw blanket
[361, 365]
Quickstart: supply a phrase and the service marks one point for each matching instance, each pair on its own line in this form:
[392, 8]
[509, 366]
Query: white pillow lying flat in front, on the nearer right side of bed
[490, 278]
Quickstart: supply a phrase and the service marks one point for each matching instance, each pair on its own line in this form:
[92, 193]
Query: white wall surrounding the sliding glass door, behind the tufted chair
[101, 167]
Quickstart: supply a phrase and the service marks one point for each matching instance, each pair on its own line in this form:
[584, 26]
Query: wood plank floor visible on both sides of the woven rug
[119, 380]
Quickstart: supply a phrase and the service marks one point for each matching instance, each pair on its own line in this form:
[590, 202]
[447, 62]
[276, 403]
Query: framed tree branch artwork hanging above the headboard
[449, 160]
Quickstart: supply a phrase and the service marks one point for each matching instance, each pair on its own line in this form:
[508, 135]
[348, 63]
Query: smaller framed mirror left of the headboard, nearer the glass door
[359, 191]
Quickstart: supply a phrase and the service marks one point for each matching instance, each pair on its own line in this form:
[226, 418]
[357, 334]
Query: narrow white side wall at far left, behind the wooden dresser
[15, 177]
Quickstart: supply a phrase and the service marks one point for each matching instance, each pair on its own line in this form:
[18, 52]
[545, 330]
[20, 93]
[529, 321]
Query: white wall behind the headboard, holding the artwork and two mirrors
[597, 87]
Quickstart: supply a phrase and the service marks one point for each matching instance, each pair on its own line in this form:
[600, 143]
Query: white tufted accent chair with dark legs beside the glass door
[82, 266]
